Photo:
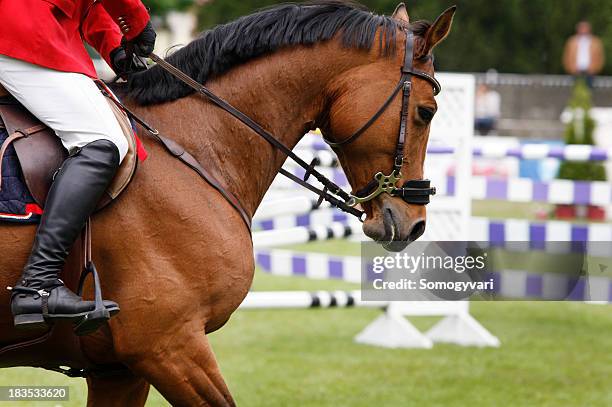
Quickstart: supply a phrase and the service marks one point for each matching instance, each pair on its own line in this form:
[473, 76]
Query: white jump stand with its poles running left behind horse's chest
[285, 218]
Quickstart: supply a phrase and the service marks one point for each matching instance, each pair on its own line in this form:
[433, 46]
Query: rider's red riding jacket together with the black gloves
[48, 32]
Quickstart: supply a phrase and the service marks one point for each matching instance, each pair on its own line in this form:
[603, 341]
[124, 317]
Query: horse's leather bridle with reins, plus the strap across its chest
[415, 192]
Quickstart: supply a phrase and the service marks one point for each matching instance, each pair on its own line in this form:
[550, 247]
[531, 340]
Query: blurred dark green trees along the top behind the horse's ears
[522, 36]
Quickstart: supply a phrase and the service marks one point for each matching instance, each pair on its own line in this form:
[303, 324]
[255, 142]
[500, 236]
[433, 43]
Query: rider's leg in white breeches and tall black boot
[74, 108]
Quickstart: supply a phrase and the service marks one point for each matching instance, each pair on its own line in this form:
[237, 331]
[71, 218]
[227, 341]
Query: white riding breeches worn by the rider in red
[69, 103]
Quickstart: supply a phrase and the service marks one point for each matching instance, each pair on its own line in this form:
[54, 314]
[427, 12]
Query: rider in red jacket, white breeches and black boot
[45, 66]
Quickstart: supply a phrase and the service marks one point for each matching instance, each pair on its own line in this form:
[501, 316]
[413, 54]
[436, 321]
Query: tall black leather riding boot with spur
[40, 296]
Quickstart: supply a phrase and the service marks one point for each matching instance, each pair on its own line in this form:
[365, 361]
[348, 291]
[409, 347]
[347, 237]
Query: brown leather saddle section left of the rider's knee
[39, 155]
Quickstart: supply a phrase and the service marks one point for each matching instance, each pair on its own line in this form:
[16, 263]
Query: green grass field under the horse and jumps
[552, 354]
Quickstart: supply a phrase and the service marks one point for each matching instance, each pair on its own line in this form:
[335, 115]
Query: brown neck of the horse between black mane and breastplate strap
[284, 93]
